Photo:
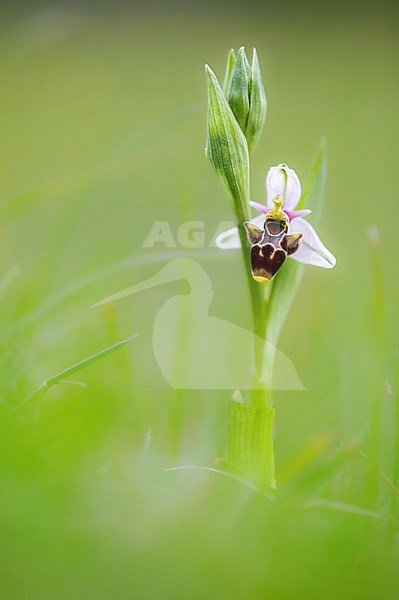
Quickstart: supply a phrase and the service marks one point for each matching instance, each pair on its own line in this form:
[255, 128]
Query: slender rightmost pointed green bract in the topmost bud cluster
[257, 105]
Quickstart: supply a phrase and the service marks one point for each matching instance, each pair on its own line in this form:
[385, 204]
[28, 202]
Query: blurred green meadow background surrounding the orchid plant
[103, 111]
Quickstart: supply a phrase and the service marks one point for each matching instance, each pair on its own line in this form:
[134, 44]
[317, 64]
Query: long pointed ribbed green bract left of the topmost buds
[227, 147]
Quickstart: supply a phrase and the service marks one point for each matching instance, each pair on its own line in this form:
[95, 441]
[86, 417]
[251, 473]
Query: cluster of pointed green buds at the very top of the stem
[246, 95]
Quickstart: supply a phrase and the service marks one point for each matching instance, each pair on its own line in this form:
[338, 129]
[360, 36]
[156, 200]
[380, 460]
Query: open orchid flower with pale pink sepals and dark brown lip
[279, 231]
